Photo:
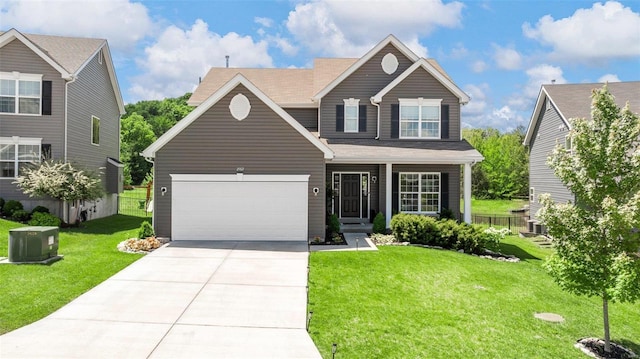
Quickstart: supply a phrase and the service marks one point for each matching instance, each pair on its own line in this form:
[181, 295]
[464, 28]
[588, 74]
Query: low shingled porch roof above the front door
[397, 151]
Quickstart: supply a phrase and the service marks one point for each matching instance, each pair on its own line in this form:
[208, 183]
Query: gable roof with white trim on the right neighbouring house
[574, 101]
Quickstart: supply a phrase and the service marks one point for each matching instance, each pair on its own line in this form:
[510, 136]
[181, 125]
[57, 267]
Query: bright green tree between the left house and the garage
[135, 135]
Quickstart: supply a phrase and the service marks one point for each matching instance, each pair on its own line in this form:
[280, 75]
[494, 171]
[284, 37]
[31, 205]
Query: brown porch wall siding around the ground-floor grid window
[454, 181]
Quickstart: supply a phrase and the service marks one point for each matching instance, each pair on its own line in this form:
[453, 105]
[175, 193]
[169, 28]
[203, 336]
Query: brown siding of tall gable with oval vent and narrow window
[365, 82]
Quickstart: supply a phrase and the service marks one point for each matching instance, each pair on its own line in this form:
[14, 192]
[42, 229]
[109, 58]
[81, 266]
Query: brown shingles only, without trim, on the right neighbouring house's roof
[574, 100]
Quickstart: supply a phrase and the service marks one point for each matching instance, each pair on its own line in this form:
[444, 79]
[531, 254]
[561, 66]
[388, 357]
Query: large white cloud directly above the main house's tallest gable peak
[347, 28]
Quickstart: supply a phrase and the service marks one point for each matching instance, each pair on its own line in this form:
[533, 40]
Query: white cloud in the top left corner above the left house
[122, 22]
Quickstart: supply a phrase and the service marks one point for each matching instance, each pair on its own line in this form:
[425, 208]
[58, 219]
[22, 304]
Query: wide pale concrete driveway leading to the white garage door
[185, 300]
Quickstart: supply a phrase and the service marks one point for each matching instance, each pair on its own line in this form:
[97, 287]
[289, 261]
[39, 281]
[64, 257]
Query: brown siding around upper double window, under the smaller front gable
[420, 84]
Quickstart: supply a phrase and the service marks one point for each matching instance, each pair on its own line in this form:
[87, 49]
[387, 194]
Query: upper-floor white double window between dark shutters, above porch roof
[419, 118]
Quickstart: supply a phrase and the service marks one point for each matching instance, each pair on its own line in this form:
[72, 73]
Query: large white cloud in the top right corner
[604, 31]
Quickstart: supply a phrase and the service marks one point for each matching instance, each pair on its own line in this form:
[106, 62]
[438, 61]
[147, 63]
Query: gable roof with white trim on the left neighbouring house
[68, 55]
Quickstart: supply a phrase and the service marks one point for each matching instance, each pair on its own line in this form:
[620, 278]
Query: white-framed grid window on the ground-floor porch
[420, 192]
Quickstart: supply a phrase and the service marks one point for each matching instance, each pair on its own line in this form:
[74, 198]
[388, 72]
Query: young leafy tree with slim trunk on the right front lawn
[597, 239]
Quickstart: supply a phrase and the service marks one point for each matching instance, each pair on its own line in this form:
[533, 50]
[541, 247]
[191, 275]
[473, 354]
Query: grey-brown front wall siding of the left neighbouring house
[15, 56]
